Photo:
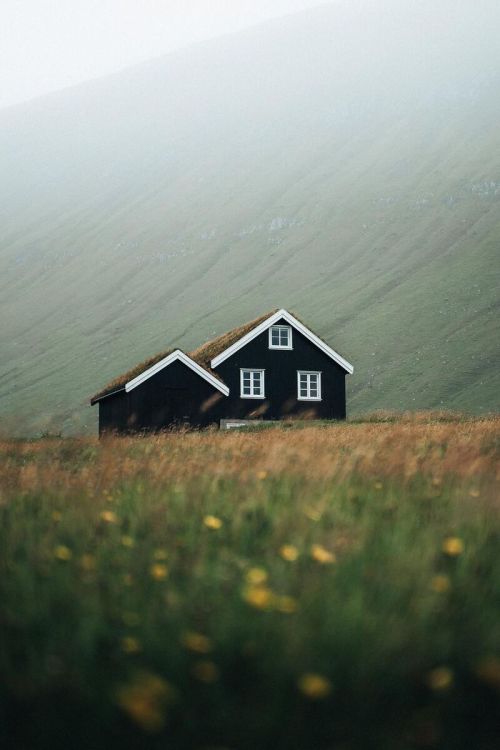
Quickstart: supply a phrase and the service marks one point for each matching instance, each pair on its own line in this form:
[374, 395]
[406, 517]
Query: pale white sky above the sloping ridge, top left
[47, 45]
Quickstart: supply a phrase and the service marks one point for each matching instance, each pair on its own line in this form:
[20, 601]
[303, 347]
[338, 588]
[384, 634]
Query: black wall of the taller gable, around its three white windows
[281, 367]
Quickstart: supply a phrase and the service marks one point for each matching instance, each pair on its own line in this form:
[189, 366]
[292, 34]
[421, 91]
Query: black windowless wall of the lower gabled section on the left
[175, 395]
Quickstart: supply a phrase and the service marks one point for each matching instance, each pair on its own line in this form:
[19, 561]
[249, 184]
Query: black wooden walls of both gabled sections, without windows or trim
[177, 395]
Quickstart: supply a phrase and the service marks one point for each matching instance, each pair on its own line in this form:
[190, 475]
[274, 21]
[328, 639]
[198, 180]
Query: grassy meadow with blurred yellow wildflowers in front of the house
[328, 587]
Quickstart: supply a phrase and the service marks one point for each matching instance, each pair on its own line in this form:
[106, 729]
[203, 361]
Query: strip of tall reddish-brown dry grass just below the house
[468, 450]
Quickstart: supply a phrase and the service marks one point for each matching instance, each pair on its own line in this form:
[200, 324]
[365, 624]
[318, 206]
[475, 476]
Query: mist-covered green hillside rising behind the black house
[342, 162]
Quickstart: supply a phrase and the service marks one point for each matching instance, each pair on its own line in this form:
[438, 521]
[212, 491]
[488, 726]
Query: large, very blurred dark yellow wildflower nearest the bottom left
[145, 700]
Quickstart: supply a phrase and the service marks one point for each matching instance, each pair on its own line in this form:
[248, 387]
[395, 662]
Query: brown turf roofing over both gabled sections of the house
[202, 355]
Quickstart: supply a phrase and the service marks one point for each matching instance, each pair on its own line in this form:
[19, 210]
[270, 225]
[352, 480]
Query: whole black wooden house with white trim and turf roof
[271, 368]
